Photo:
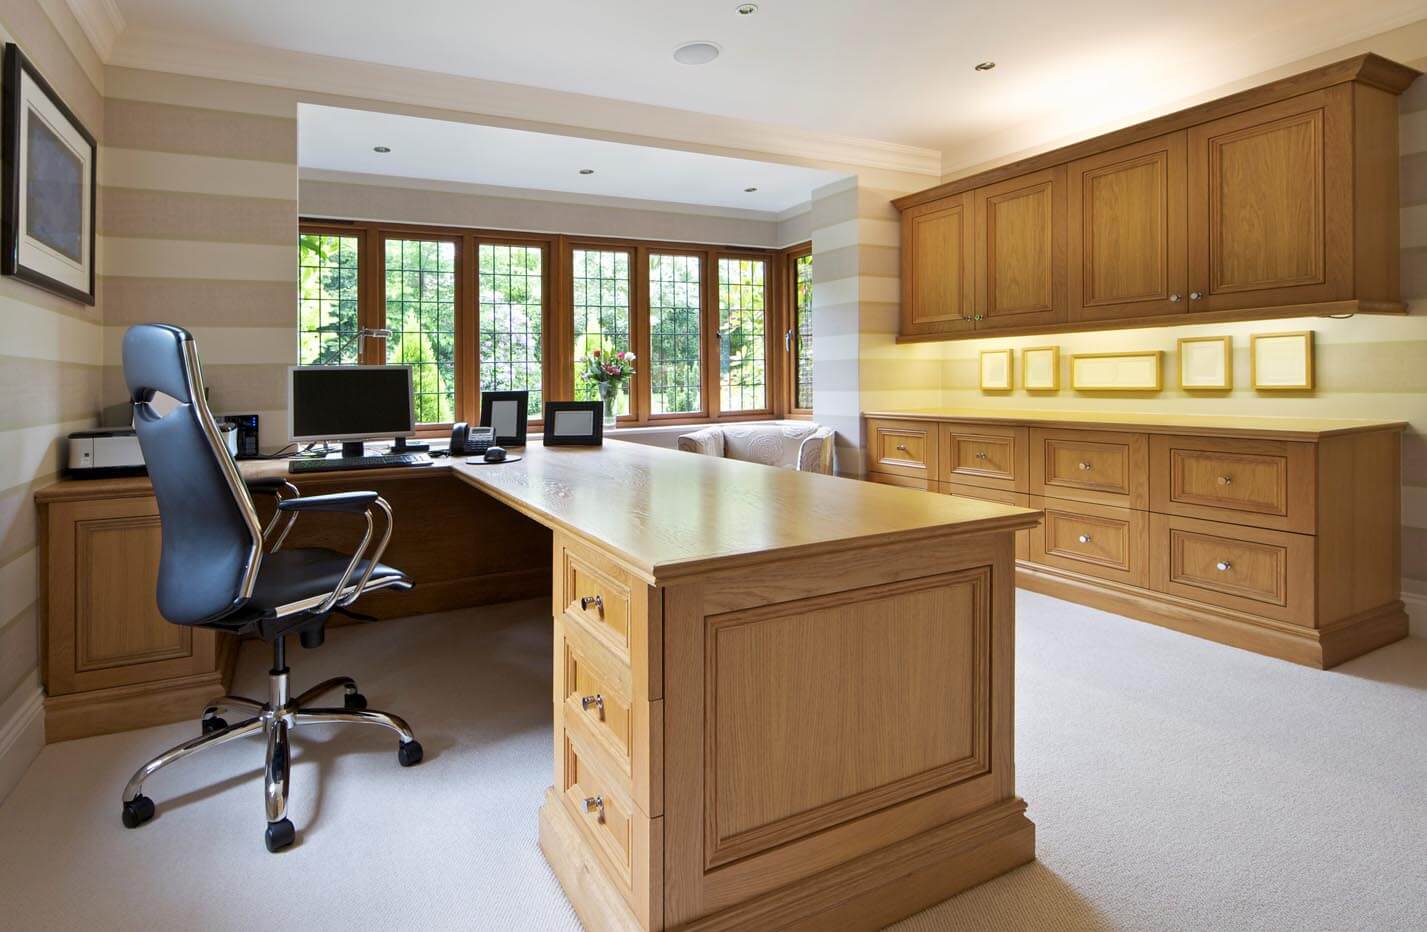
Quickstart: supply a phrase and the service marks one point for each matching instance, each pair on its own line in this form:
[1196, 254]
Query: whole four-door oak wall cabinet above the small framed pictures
[1278, 202]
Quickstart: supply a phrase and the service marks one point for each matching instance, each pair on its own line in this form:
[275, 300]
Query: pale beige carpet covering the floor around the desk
[1177, 786]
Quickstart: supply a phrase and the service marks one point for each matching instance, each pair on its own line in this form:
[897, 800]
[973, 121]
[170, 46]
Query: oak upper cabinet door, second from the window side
[1021, 252]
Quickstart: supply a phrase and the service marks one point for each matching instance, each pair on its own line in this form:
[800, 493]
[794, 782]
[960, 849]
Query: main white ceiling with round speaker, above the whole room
[897, 72]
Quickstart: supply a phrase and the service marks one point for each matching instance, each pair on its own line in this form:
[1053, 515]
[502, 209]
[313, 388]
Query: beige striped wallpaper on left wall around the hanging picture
[51, 376]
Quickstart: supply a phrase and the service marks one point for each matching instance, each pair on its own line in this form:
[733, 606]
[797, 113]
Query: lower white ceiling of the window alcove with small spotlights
[337, 139]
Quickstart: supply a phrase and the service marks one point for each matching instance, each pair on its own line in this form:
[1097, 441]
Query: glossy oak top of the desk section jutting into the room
[669, 513]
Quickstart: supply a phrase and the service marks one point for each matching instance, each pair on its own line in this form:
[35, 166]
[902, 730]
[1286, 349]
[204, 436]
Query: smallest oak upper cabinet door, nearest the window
[938, 289]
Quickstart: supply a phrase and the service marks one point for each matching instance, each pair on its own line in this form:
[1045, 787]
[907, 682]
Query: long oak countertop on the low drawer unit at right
[1229, 426]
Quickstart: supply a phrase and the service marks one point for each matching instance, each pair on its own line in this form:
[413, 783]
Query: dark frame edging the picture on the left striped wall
[56, 232]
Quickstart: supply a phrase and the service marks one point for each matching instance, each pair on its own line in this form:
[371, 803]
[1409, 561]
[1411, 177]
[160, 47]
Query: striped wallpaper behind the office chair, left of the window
[199, 229]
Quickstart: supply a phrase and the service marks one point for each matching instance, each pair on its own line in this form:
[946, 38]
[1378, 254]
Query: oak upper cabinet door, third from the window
[1128, 232]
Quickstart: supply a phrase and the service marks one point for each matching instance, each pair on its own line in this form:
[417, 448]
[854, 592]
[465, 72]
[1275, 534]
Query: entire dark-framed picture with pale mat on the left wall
[51, 169]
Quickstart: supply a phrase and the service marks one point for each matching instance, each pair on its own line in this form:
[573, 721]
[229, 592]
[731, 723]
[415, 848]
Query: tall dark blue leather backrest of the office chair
[212, 539]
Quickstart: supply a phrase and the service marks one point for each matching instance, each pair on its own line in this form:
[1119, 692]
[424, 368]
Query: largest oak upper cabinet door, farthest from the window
[1272, 205]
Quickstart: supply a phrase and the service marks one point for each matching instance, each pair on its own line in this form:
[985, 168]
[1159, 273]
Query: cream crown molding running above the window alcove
[530, 108]
